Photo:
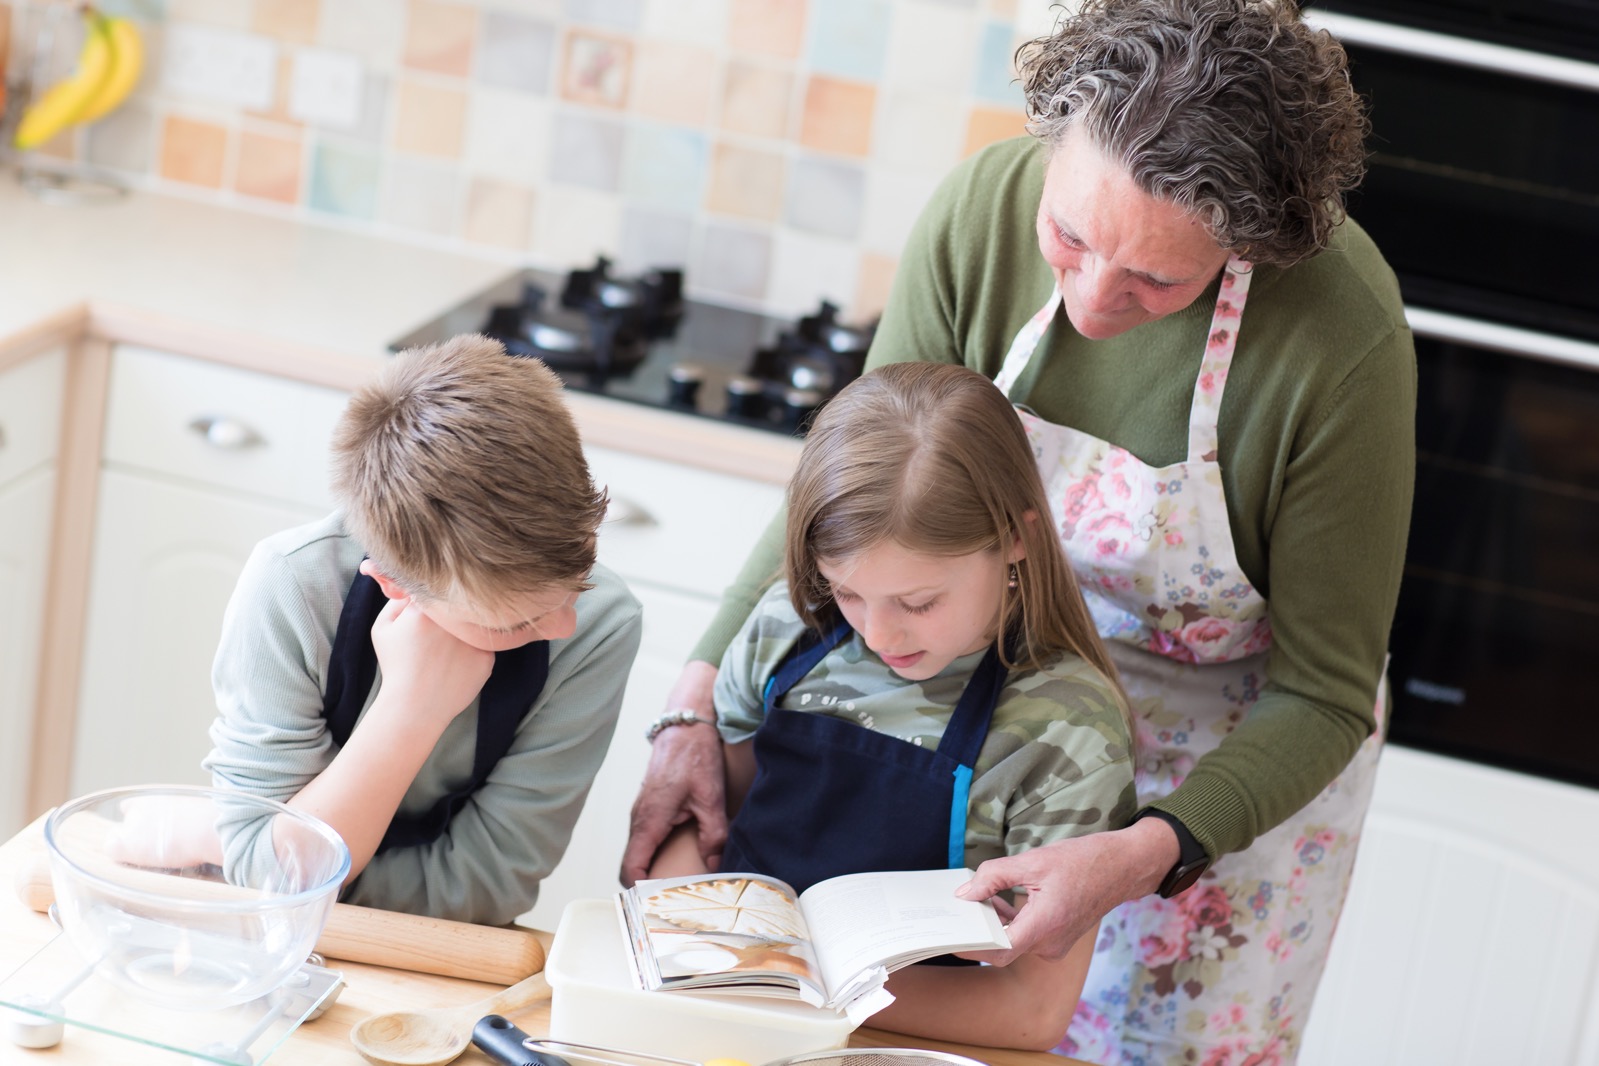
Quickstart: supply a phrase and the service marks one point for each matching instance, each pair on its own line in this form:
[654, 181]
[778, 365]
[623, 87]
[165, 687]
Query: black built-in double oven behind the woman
[1483, 193]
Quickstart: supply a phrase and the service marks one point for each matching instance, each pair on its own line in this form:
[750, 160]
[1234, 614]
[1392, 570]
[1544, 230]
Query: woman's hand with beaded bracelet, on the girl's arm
[684, 781]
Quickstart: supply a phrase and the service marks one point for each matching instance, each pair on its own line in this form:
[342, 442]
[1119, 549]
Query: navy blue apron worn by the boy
[514, 685]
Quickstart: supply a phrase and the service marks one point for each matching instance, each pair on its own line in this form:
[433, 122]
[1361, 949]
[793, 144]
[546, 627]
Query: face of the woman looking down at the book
[1122, 258]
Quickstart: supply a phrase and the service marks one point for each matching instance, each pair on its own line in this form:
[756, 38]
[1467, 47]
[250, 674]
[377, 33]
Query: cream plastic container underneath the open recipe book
[597, 1003]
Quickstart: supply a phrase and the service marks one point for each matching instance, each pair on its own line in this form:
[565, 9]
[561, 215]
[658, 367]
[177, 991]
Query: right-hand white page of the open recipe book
[891, 920]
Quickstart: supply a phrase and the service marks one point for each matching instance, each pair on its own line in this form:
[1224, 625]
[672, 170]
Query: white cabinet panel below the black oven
[1472, 933]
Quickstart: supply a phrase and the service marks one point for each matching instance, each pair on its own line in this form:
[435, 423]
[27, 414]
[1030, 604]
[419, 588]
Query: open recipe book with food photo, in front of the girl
[832, 947]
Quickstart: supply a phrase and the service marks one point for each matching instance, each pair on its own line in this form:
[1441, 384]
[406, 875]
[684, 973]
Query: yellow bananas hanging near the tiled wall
[110, 66]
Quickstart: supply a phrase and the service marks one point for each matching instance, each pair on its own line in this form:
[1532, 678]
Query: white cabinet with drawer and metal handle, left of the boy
[201, 463]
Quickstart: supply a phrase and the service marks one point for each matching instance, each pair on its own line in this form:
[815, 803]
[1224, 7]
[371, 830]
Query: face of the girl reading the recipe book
[920, 613]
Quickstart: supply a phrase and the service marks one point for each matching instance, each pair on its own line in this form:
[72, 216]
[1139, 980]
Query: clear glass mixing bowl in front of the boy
[193, 899]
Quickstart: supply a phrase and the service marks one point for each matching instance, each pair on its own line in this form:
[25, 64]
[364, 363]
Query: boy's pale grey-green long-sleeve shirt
[269, 736]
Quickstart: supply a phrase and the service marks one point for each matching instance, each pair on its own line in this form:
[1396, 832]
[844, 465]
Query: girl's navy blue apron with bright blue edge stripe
[835, 798]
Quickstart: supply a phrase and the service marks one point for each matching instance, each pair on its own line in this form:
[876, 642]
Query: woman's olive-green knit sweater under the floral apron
[1317, 453]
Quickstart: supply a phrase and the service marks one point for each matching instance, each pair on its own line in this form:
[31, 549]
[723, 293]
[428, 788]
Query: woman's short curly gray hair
[1235, 111]
